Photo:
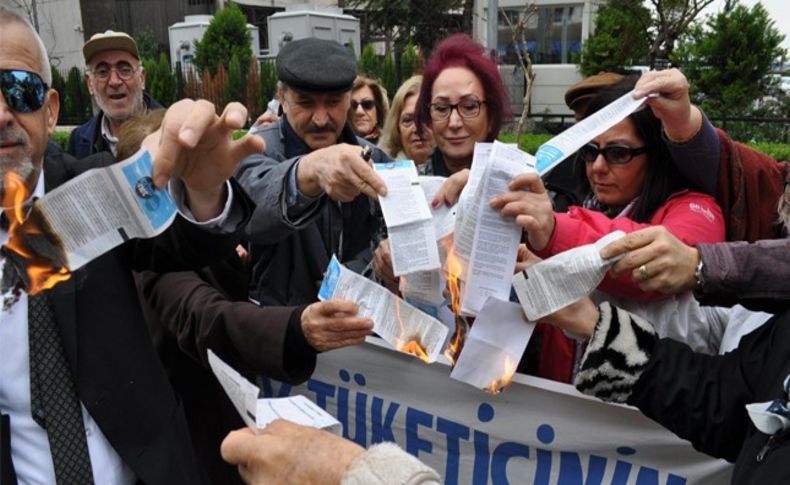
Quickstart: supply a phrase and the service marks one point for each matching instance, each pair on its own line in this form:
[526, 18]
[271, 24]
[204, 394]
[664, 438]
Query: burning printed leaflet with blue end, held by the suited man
[83, 219]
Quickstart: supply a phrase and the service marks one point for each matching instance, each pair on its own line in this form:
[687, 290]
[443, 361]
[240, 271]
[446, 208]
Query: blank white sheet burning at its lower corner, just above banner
[494, 346]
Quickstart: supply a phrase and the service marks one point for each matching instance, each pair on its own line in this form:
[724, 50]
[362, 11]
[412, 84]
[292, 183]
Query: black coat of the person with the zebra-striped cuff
[701, 398]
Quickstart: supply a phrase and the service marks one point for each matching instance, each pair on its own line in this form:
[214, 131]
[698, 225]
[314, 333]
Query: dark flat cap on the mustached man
[316, 65]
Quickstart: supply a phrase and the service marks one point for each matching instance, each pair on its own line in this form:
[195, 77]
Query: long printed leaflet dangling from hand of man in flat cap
[411, 231]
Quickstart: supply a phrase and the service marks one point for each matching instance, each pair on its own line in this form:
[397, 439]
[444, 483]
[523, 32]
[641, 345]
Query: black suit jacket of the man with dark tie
[118, 376]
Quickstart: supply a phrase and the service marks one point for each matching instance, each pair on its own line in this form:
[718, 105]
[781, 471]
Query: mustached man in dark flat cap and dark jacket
[315, 191]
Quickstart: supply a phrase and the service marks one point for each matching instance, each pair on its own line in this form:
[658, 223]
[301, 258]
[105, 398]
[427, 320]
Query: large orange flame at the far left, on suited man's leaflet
[40, 270]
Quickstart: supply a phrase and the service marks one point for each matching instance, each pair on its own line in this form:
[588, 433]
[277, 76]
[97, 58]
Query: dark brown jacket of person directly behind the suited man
[189, 312]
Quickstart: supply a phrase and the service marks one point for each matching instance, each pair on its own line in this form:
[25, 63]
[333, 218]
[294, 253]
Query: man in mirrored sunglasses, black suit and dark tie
[81, 388]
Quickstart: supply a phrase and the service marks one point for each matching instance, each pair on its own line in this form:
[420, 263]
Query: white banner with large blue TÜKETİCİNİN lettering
[535, 432]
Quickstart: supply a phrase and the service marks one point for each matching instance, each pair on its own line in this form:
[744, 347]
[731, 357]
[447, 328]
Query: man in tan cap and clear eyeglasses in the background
[116, 81]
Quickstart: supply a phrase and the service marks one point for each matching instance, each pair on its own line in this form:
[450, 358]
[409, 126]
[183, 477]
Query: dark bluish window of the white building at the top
[553, 34]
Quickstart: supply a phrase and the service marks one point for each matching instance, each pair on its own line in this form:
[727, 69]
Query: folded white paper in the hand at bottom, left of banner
[258, 413]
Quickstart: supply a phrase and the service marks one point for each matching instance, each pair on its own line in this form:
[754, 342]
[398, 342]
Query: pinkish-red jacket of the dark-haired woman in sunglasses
[692, 217]
